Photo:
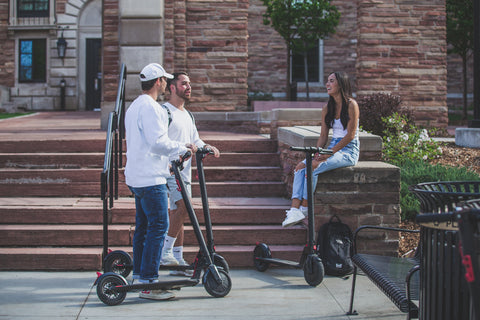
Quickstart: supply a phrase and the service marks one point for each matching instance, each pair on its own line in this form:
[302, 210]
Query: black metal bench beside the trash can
[396, 277]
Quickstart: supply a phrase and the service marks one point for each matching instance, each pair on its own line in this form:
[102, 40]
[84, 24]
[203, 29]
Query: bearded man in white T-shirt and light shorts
[182, 129]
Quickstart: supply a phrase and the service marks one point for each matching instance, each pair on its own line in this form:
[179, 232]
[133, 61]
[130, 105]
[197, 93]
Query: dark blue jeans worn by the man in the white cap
[151, 226]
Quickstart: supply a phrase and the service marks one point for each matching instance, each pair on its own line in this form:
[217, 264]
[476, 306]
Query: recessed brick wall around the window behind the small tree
[267, 50]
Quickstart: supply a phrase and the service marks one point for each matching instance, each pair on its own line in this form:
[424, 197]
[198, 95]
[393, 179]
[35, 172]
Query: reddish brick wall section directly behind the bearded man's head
[208, 39]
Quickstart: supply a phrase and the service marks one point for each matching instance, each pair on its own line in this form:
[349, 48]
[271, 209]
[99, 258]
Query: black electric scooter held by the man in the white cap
[112, 288]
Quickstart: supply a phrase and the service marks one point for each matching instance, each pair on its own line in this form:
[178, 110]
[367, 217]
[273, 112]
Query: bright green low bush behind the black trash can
[416, 171]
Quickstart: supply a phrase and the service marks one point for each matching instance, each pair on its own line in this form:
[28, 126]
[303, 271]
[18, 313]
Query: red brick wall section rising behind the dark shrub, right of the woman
[402, 49]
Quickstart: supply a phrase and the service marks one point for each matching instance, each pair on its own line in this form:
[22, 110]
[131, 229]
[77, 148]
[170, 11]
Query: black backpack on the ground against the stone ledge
[335, 247]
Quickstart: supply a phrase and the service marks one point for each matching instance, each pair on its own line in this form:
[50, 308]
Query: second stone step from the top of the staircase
[69, 160]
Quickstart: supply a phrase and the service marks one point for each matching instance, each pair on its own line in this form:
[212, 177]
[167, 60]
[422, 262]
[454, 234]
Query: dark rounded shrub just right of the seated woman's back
[377, 106]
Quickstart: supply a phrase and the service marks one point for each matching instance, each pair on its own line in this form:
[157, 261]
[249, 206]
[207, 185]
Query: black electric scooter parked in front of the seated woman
[310, 262]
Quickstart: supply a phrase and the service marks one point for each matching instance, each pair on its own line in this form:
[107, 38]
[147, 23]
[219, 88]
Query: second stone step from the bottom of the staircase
[34, 235]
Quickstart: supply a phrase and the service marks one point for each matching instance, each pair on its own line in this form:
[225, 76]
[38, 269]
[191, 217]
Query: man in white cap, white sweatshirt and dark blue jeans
[149, 151]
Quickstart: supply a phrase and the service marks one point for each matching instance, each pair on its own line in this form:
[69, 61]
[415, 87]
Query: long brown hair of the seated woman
[346, 93]
